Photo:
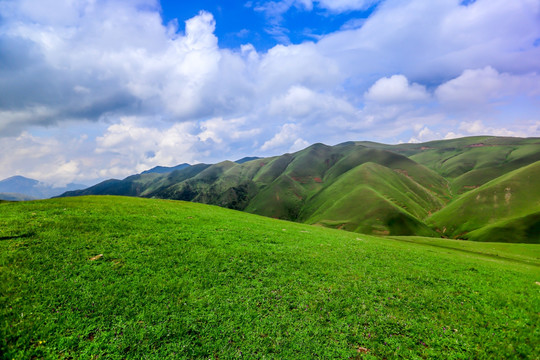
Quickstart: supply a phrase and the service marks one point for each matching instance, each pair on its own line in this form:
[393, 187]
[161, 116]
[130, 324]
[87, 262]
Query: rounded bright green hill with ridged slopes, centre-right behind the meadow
[391, 203]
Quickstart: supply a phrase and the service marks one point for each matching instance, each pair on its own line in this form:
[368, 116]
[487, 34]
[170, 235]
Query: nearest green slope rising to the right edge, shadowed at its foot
[512, 200]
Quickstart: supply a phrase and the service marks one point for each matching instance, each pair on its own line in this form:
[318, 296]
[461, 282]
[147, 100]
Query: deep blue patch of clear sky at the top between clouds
[241, 22]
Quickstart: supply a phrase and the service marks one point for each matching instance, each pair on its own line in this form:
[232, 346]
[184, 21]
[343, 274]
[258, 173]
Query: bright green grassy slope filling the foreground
[134, 278]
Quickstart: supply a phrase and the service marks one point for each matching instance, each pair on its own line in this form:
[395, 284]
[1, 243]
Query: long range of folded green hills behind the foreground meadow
[361, 186]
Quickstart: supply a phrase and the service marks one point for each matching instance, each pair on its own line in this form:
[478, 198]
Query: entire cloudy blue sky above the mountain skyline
[98, 89]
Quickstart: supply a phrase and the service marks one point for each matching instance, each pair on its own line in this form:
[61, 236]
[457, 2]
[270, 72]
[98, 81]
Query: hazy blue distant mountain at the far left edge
[22, 188]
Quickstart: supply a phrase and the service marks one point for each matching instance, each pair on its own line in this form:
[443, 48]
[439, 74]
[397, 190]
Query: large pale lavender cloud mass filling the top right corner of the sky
[433, 41]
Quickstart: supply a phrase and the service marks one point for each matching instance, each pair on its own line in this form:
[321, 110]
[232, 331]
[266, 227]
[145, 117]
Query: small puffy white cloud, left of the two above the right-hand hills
[396, 89]
